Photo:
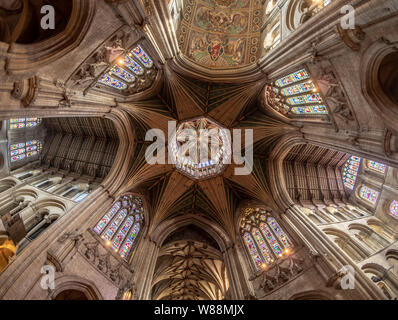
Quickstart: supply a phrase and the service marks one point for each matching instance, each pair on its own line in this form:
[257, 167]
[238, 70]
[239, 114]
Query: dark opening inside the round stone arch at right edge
[388, 76]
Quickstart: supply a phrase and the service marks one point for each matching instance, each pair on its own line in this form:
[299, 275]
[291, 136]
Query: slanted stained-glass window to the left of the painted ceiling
[125, 72]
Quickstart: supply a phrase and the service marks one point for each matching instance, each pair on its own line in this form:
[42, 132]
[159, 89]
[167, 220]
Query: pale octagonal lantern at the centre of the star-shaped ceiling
[201, 148]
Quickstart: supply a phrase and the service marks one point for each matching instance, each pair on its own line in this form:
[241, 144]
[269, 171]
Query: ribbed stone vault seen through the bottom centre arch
[189, 270]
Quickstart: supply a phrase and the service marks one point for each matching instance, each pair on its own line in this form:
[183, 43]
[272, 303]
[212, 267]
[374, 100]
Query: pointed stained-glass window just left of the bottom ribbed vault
[120, 226]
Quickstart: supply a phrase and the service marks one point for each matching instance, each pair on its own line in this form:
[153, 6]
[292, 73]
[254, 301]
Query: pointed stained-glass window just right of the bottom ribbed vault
[264, 238]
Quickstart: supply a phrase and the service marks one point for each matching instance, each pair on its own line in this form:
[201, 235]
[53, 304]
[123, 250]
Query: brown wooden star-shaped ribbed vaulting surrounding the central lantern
[232, 106]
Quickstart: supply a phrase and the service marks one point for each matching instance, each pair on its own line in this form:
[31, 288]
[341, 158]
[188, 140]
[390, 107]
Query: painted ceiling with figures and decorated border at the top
[221, 33]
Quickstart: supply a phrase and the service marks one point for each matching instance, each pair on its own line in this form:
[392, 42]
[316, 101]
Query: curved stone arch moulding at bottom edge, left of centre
[66, 282]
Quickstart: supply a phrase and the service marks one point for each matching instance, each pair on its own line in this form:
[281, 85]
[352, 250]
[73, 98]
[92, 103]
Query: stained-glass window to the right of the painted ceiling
[298, 95]
